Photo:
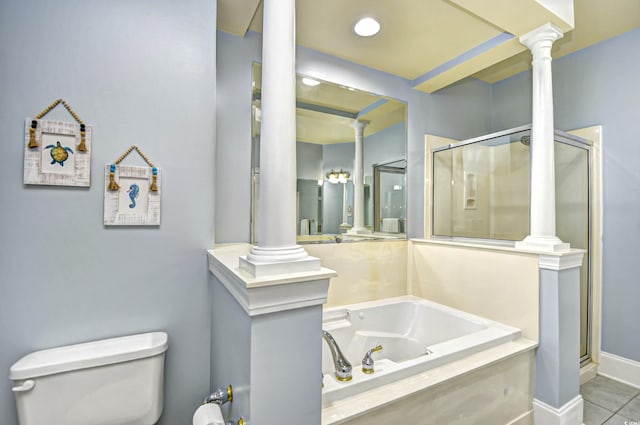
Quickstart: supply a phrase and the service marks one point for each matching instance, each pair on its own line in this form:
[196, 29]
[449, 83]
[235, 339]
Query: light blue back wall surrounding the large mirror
[460, 111]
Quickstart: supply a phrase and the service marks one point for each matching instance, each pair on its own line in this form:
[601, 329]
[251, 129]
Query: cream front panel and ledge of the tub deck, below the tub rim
[493, 386]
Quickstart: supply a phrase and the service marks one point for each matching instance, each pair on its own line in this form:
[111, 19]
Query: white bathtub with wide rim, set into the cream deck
[416, 335]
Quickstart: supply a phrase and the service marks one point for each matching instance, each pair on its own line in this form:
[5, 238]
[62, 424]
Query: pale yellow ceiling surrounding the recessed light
[435, 43]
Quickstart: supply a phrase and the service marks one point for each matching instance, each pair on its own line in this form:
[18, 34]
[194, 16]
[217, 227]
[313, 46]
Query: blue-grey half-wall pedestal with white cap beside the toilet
[267, 338]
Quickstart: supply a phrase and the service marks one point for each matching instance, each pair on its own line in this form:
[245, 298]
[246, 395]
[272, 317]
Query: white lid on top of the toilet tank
[89, 354]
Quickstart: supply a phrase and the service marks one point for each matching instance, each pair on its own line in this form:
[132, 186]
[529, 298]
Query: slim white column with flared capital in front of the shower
[543, 193]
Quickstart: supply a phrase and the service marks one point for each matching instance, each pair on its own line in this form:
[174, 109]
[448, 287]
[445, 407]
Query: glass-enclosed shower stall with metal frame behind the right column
[481, 192]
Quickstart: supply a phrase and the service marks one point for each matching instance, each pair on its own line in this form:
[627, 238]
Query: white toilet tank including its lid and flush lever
[117, 381]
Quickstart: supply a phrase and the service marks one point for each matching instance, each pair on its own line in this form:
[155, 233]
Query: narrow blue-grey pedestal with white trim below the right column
[557, 395]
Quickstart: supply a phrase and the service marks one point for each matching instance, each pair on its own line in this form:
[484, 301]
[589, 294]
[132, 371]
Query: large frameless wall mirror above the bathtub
[325, 113]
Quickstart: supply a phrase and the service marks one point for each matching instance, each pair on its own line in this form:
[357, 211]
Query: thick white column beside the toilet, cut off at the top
[277, 251]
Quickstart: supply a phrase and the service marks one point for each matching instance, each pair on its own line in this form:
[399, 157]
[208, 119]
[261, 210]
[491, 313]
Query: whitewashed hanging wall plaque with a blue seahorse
[132, 193]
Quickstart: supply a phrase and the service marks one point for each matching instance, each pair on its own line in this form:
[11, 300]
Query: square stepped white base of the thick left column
[276, 261]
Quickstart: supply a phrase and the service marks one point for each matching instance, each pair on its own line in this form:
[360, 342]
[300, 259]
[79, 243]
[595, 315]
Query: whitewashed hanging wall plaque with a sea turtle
[55, 152]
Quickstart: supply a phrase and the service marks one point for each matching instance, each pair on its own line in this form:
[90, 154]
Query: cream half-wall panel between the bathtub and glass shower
[496, 282]
